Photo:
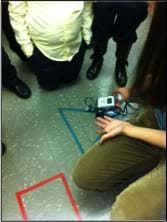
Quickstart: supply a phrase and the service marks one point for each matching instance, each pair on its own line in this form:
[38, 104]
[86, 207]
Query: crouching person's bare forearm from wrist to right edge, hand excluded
[152, 136]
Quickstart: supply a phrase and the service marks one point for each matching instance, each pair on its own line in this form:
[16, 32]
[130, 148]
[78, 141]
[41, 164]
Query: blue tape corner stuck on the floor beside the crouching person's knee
[61, 111]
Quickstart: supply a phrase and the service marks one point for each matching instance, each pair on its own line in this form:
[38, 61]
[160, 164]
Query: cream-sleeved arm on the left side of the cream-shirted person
[17, 14]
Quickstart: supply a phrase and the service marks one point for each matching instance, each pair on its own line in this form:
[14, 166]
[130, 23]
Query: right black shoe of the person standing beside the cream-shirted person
[120, 72]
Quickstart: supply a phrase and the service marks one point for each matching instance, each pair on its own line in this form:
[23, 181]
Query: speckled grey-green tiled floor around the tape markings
[41, 145]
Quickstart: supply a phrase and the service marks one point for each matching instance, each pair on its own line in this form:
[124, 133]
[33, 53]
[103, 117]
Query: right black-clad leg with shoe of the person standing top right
[130, 16]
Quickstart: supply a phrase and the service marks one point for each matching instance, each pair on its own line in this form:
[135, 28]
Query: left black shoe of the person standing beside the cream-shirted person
[94, 69]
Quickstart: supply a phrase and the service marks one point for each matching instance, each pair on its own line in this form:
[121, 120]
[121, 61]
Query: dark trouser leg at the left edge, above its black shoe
[8, 70]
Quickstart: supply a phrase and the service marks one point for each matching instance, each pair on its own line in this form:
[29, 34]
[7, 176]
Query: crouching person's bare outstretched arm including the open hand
[112, 127]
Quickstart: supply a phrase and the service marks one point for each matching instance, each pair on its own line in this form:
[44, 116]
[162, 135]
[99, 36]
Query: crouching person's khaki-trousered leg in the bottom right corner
[143, 199]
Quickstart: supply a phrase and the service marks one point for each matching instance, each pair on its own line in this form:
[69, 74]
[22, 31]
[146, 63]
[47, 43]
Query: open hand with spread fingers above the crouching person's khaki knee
[111, 127]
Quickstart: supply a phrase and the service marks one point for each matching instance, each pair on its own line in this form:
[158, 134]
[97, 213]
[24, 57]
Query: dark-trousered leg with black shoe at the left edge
[10, 79]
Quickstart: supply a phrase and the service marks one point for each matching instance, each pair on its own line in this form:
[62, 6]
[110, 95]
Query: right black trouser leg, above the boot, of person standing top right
[129, 17]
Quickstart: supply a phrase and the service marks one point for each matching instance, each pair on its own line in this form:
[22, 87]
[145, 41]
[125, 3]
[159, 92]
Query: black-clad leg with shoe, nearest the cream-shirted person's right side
[102, 31]
